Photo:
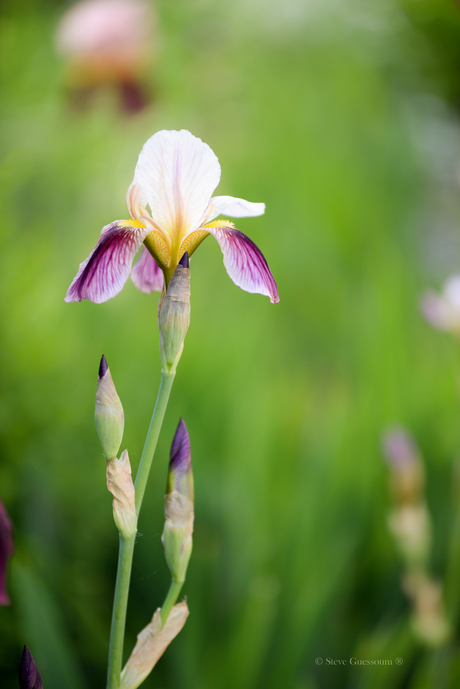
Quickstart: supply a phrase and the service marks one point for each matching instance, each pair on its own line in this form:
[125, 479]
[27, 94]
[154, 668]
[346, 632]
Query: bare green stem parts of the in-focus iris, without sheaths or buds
[125, 556]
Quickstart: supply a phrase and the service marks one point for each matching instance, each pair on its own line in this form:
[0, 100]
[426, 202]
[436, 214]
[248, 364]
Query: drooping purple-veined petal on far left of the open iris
[105, 271]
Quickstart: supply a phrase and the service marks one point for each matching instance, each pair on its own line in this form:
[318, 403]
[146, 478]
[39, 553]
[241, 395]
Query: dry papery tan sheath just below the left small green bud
[120, 484]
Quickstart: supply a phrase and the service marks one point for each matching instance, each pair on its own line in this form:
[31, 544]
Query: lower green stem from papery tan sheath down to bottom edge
[120, 604]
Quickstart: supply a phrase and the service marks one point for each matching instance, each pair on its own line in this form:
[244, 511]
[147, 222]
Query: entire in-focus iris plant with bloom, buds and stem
[172, 211]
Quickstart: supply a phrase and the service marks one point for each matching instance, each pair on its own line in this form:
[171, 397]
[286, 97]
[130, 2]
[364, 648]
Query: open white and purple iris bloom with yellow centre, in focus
[175, 176]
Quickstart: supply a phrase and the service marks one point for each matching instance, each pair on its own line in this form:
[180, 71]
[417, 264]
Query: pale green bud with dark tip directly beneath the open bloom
[174, 315]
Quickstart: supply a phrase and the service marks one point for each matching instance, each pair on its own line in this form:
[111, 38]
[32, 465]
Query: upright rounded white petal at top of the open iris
[178, 173]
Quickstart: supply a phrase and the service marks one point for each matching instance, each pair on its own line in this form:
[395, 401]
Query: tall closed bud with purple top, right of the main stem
[177, 533]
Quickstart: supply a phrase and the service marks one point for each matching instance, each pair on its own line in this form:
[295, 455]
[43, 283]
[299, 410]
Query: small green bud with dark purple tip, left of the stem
[109, 416]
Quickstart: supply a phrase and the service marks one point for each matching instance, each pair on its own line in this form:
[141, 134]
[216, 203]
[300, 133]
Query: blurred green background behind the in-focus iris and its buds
[343, 116]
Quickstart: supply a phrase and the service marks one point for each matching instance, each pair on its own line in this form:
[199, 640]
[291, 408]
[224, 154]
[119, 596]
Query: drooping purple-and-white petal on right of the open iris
[245, 263]
